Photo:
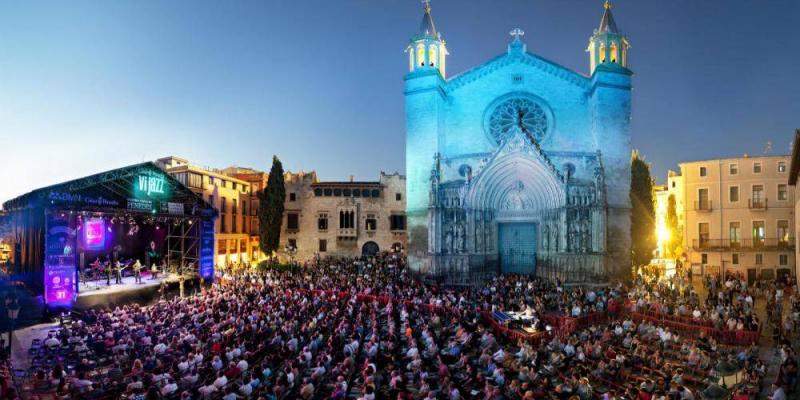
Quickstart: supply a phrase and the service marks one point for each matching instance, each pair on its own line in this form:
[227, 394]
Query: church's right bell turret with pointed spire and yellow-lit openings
[608, 46]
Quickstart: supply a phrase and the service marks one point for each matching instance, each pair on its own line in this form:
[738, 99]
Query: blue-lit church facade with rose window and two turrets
[519, 164]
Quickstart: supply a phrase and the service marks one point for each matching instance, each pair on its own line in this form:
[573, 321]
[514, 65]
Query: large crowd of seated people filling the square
[269, 335]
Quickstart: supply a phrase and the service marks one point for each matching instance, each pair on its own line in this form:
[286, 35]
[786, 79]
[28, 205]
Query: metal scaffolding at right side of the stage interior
[183, 245]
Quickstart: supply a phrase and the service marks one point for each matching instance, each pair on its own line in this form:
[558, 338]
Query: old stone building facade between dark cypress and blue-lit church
[350, 218]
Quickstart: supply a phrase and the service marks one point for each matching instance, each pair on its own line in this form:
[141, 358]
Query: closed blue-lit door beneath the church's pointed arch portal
[517, 244]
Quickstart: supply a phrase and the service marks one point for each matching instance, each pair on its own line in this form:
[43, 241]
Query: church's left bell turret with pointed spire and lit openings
[426, 49]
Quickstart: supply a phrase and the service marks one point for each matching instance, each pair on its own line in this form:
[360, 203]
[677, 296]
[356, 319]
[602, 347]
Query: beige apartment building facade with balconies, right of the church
[737, 215]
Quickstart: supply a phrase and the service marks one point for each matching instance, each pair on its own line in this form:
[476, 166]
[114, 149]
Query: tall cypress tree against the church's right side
[643, 238]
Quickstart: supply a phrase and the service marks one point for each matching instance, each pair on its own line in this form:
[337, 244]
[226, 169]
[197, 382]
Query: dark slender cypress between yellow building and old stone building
[270, 209]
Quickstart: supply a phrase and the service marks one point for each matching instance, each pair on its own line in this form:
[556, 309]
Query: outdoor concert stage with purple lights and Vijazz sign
[113, 223]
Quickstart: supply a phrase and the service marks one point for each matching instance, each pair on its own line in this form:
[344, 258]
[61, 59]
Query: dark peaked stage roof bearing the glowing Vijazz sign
[142, 188]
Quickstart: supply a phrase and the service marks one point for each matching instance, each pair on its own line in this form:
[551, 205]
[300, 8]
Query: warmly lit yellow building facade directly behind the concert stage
[230, 197]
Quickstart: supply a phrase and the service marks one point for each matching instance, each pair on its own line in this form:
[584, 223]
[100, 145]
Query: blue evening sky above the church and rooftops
[89, 86]
